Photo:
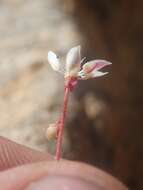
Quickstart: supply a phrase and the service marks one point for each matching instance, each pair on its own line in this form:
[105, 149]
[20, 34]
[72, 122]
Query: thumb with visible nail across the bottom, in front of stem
[63, 175]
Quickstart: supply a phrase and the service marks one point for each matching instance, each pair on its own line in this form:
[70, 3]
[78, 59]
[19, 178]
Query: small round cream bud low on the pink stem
[51, 132]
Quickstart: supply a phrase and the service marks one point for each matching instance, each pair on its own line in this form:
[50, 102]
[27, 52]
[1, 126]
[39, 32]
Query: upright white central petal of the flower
[73, 60]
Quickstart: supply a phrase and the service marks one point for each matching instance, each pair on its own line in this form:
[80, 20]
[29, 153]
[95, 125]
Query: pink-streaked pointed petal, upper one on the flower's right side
[95, 65]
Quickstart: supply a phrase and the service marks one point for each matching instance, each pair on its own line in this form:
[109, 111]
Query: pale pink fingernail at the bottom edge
[60, 183]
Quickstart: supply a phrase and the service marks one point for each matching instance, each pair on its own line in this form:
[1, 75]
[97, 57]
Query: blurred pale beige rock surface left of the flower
[30, 92]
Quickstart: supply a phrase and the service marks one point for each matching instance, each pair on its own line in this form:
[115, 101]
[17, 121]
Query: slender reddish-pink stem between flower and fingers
[61, 124]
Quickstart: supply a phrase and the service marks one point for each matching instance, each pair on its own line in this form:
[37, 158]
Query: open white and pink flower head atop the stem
[73, 67]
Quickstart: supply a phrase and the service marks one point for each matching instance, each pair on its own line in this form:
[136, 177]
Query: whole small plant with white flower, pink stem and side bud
[72, 71]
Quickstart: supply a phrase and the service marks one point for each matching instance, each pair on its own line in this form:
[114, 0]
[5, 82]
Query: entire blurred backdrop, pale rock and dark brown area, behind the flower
[105, 124]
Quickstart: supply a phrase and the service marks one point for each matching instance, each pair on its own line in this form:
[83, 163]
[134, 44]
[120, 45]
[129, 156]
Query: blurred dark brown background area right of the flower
[112, 138]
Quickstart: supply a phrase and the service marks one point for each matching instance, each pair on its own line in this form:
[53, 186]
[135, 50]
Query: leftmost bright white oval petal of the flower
[53, 60]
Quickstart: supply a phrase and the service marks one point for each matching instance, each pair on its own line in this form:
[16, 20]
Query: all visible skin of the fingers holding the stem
[23, 168]
